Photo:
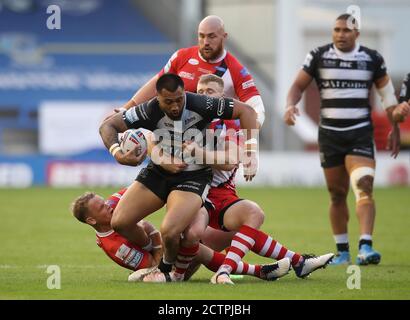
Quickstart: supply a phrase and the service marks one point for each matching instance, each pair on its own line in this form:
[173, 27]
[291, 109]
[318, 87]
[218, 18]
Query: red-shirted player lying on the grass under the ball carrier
[93, 210]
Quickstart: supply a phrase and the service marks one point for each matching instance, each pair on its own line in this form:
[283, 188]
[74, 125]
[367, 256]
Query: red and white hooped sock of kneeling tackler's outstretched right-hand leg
[266, 246]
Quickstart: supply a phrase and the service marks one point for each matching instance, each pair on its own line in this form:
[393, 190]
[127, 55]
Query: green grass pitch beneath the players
[37, 230]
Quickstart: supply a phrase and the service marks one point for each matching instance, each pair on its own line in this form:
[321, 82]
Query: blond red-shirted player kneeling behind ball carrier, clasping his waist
[228, 212]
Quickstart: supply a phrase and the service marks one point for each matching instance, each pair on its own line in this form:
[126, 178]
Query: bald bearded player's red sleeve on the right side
[244, 84]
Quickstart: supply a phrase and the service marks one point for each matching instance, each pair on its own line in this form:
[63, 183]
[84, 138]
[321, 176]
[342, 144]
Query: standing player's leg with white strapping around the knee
[361, 170]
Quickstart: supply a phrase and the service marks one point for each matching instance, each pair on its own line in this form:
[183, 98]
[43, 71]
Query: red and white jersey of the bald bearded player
[190, 66]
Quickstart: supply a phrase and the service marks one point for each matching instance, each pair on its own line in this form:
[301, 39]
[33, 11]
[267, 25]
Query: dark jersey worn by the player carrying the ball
[198, 113]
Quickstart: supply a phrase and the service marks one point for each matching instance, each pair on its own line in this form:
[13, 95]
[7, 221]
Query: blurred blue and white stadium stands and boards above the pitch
[57, 85]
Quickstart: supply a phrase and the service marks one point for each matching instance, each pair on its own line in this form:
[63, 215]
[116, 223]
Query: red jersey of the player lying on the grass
[118, 248]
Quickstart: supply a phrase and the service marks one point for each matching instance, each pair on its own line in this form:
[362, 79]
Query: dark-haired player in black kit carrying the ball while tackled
[175, 116]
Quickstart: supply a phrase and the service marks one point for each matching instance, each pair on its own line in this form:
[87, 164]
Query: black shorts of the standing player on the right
[334, 146]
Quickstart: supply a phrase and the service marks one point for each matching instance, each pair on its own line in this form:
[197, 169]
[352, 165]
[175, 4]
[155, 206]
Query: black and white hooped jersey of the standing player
[344, 80]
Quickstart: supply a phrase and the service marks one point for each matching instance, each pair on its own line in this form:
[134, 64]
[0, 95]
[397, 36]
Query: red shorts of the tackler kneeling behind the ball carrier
[218, 201]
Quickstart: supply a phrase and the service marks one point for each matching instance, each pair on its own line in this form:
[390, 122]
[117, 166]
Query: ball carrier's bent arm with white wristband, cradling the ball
[109, 130]
